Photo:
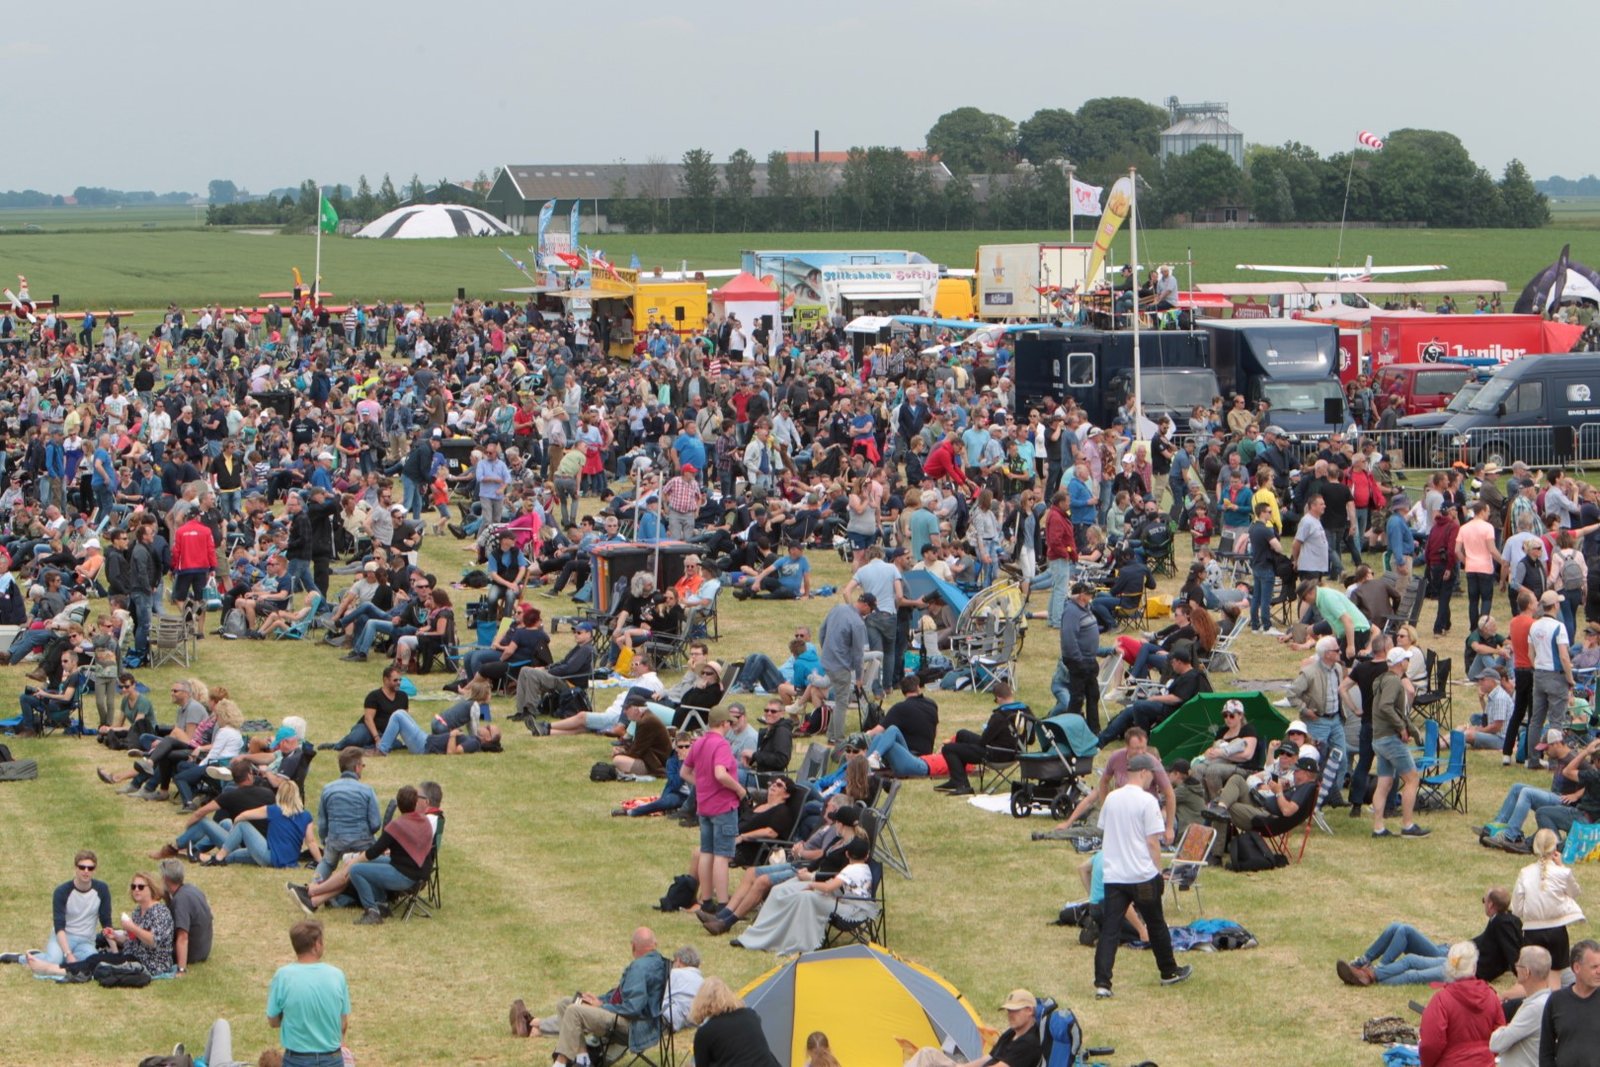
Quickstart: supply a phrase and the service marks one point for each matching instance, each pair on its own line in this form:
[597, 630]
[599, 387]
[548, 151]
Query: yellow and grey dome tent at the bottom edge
[863, 997]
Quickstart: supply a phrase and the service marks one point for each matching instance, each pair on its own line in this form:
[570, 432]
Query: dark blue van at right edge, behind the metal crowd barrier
[1538, 409]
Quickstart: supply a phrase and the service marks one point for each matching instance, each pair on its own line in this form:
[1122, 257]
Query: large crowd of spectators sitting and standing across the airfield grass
[242, 478]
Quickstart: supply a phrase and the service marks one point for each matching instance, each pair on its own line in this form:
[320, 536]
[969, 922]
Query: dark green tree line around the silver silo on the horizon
[1022, 170]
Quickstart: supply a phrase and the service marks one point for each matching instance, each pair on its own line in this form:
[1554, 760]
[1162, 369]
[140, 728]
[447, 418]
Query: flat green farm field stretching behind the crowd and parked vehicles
[138, 268]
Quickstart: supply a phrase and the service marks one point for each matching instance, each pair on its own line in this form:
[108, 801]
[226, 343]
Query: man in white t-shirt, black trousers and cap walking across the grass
[1132, 828]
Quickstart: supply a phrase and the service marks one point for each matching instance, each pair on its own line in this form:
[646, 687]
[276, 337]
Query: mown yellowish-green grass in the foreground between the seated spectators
[542, 890]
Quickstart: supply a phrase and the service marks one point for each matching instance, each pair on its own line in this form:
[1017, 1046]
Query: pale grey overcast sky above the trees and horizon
[172, 95]
